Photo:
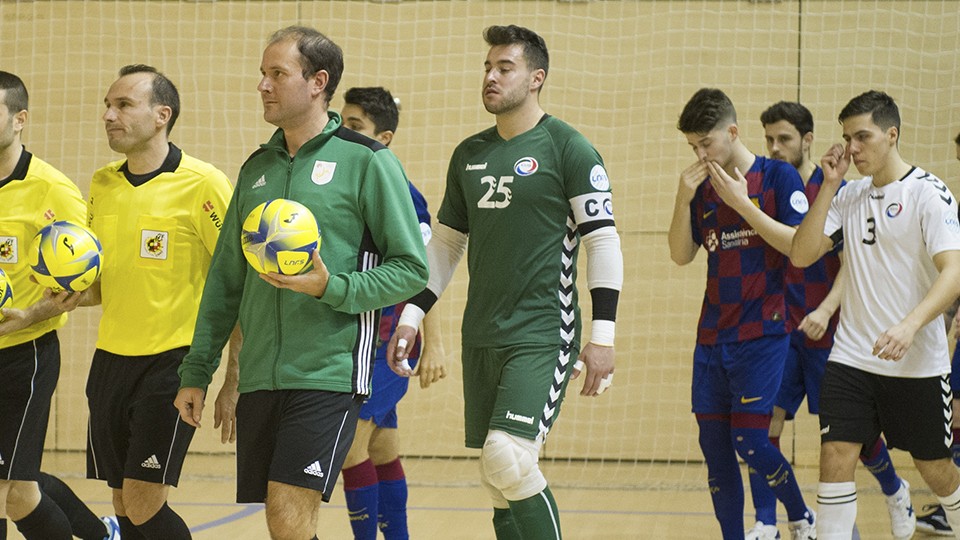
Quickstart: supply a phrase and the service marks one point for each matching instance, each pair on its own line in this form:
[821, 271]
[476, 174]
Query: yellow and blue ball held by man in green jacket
[280, 236]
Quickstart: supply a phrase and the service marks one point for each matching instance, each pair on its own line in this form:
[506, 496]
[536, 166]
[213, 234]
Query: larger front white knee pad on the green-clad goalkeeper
[510, 464]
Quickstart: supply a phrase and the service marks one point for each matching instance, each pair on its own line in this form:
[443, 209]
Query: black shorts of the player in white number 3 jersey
[913, 414]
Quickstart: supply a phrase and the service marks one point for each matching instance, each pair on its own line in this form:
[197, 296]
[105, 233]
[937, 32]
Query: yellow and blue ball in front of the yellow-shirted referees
[66, 256]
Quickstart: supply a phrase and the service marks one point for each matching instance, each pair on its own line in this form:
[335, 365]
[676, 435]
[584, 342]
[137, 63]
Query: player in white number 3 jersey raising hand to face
[887, 372]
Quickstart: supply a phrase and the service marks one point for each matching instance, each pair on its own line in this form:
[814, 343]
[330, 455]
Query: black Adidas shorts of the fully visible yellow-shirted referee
[134, 430]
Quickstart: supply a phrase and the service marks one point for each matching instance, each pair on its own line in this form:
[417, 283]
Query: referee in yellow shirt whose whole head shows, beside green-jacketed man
[157, 213]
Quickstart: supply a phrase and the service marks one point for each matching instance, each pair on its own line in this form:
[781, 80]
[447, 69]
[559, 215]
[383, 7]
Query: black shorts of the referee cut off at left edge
[28, 377]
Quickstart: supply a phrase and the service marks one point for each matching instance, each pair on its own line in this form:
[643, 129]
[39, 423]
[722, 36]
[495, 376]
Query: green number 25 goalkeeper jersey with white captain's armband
[524, 203]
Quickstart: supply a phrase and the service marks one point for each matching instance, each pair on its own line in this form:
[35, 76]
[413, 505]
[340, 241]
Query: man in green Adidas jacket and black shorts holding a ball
[309, 339]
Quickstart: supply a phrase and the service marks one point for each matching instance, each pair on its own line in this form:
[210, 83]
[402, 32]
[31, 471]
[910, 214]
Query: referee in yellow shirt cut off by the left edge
[34, 194]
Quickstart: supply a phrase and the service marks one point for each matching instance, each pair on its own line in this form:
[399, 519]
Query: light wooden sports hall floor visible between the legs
[441, 508]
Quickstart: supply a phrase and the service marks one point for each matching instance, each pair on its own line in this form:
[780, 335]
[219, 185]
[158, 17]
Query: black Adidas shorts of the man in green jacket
[296, 437]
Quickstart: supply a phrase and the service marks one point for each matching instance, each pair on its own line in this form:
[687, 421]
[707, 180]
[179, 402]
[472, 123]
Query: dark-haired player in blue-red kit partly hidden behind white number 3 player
[812, 302]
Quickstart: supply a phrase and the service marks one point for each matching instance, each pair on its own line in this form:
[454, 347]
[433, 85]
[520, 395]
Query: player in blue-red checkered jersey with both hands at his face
[742, 209]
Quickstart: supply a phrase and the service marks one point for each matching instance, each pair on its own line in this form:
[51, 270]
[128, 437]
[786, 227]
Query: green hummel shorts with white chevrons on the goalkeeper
[517, 389]
